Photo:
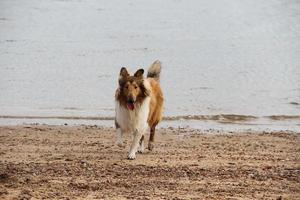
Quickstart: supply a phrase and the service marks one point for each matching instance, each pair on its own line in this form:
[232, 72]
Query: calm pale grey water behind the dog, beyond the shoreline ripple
[62, 57]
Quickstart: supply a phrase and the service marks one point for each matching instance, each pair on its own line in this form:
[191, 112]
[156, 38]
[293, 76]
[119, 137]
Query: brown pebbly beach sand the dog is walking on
[82, 162]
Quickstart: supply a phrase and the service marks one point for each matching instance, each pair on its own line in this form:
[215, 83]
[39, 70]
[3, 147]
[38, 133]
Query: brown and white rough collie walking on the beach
[139, 103]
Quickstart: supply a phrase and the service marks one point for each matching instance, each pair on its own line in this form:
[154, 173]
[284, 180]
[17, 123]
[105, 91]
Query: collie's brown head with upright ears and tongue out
[132, 88]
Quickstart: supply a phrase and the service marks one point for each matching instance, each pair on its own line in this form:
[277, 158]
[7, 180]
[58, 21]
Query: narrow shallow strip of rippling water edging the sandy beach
[220, 122]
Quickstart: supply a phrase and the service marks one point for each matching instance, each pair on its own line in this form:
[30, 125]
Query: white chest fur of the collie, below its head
[133, 120]
